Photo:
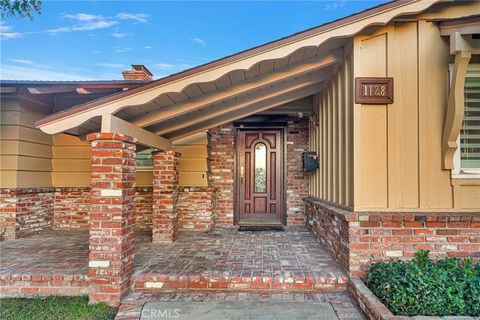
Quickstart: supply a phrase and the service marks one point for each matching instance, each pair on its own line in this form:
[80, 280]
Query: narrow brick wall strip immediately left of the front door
[222, 171]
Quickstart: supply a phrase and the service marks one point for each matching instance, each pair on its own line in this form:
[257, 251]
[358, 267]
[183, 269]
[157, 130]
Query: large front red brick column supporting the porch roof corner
[112, 217]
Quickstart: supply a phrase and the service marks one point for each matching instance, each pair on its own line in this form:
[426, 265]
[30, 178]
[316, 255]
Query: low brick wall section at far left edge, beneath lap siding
[25, 211]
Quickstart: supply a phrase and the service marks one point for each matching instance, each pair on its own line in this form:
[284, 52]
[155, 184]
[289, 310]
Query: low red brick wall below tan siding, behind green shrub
[372, 237]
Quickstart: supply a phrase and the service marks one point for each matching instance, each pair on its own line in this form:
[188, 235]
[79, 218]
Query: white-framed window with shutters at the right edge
[467, 157]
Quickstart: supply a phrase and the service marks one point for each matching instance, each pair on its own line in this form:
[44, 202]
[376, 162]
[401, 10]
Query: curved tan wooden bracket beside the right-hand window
[455, 109]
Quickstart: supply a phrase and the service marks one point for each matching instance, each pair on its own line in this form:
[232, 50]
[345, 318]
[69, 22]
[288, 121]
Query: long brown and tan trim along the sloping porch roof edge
[225, 60]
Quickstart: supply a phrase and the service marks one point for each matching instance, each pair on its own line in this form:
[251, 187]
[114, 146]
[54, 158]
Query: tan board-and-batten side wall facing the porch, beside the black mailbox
[331, 137]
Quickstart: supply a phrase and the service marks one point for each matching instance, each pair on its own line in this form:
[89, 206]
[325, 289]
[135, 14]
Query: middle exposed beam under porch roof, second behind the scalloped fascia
[234, 105]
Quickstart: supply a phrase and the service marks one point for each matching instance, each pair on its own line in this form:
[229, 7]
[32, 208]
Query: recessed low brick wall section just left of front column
[71, 208]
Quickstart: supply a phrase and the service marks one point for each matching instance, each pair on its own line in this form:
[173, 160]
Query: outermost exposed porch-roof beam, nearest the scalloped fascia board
[278, 75]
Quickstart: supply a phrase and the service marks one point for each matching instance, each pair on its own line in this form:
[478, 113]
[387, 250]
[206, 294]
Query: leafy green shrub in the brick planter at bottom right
[424, 287]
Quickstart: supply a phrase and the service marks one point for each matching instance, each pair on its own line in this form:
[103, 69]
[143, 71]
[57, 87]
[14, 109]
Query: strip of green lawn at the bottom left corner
[53, 308]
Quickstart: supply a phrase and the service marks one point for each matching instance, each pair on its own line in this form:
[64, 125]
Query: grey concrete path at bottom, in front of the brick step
[237, 310]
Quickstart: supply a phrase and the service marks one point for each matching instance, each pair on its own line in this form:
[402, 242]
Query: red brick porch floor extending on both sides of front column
[224, 259]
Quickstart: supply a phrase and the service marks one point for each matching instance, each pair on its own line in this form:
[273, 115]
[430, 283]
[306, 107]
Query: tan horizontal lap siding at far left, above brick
[25, 152]
